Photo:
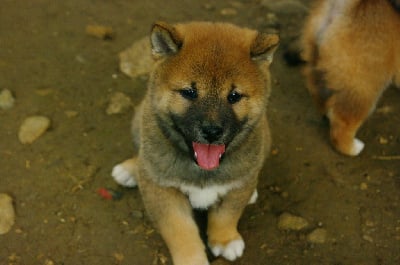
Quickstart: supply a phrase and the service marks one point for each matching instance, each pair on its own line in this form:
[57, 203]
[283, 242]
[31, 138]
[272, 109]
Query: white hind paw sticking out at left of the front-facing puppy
[125, 172]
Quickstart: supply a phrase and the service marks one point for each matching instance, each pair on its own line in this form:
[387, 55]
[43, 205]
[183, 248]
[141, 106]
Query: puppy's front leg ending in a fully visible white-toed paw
[223, 237]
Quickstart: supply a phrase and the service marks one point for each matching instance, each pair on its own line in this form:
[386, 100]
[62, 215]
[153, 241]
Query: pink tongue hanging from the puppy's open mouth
[208, 155]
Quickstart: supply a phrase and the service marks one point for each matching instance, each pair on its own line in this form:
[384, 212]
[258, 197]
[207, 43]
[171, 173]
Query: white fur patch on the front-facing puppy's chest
[202, 198]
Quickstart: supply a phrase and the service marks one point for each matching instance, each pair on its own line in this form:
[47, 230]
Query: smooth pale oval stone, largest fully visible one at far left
[32, 128]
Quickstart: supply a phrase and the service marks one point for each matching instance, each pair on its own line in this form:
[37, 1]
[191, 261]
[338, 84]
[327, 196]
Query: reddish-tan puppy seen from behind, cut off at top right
[352, 50]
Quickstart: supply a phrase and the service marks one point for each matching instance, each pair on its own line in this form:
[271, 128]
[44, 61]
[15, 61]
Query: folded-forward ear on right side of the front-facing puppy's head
[264, 46]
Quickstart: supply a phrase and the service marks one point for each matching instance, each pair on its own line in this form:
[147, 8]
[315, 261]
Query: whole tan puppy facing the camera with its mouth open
[202, 134]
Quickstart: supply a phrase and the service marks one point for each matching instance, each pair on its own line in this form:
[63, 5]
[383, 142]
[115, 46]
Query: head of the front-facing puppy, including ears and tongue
[209, 90]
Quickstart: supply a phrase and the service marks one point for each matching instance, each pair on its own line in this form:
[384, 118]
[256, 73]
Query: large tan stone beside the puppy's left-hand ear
[137, 60]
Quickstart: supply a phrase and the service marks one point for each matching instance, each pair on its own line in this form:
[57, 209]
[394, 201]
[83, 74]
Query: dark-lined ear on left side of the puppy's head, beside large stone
[164, 39]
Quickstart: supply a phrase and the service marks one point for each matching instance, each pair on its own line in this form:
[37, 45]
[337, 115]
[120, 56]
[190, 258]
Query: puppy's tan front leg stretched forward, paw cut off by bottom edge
[171, 213]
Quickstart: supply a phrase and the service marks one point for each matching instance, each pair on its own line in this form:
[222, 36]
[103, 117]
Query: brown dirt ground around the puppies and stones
[53, 68]
